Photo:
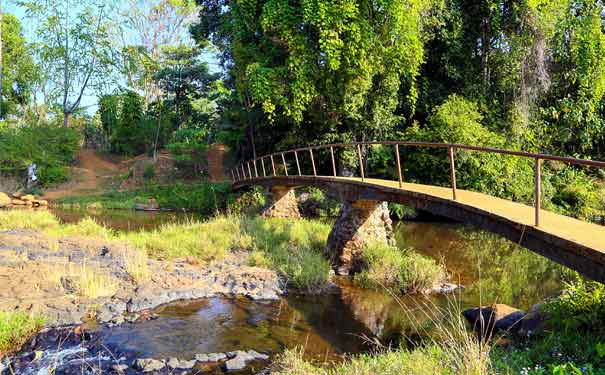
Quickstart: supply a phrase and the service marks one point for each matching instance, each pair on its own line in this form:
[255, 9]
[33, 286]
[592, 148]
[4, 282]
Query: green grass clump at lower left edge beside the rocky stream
[16, 328]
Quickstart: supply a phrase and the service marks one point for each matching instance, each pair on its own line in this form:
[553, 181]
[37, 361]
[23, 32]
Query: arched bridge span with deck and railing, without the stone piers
[573, 243]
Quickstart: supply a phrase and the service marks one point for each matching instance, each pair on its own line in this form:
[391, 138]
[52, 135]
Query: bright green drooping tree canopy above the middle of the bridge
[331, 70]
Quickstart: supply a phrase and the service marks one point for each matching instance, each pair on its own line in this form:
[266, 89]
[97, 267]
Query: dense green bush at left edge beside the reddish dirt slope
[50, 147]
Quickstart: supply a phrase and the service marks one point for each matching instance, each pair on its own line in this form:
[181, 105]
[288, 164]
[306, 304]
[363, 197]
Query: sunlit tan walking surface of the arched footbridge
[581, 232]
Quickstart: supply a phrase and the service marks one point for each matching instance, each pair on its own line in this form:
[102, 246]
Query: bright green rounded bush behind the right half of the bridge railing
[458, 120]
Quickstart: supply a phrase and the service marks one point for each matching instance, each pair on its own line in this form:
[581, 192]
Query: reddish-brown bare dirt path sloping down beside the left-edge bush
[91, 173]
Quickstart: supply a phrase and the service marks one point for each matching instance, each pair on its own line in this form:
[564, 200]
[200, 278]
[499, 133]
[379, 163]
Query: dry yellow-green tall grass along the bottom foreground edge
[448, 348]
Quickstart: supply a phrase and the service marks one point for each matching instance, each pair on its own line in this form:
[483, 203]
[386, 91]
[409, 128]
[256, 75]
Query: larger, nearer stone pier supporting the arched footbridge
[359, 223]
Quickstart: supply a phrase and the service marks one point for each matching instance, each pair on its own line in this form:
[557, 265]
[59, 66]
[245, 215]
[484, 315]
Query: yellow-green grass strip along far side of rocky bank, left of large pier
[294, 248]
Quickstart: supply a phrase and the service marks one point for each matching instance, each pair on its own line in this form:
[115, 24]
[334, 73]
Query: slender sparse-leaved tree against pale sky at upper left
[74, 45]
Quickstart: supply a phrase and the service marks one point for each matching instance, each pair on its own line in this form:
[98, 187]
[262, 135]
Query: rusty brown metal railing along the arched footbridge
[256, 168]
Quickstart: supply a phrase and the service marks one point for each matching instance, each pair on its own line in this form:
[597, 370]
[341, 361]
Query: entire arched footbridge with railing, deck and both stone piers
[571, 242]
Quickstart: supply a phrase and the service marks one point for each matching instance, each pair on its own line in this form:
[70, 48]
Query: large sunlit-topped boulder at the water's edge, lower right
[498, 317]
